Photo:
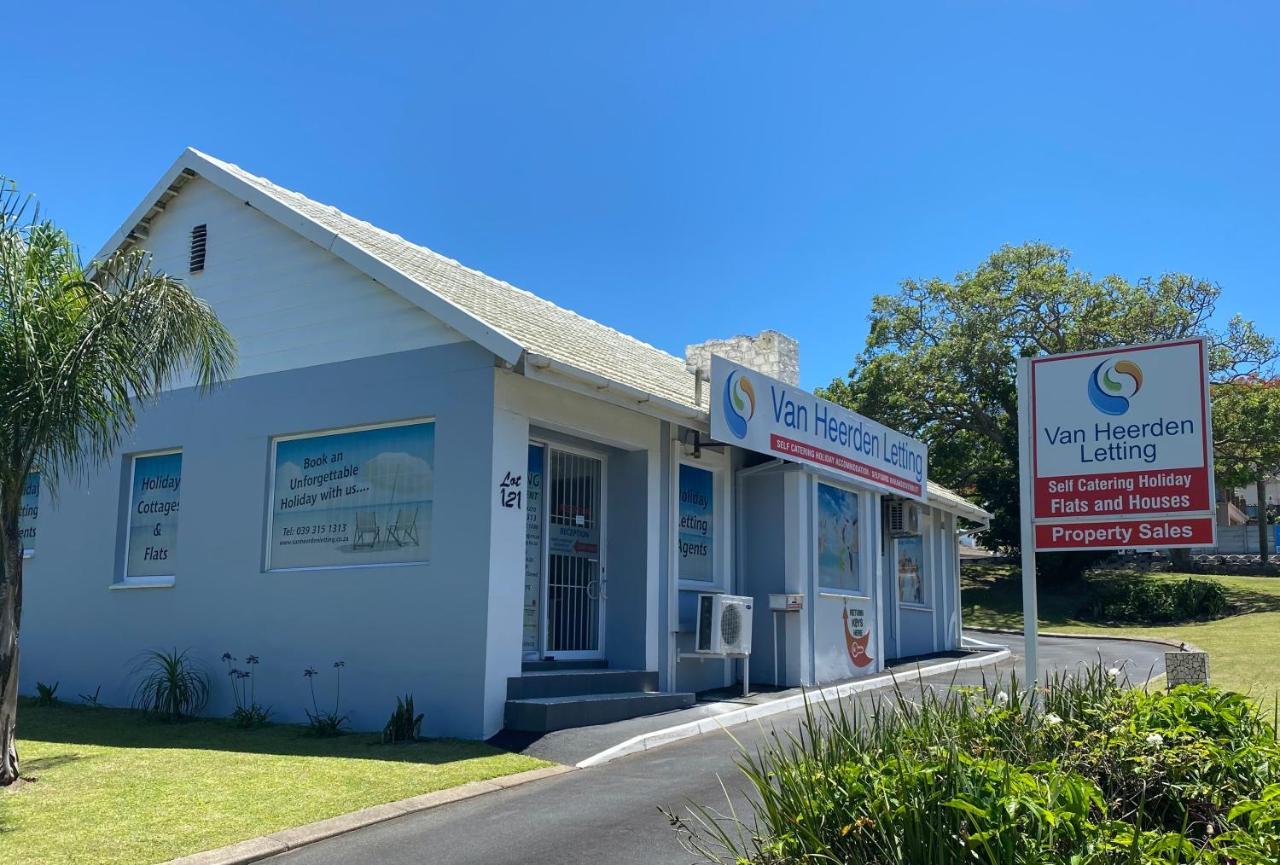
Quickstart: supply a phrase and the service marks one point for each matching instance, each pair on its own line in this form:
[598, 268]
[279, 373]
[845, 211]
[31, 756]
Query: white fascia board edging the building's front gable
[368, 264]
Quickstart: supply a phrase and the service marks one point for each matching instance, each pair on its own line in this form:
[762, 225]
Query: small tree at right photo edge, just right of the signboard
[1247, 440]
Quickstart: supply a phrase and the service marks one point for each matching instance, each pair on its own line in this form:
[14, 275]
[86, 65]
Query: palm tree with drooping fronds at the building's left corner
[81, 350]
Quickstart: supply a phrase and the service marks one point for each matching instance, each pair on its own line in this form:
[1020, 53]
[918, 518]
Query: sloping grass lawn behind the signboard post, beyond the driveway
[1242, 647]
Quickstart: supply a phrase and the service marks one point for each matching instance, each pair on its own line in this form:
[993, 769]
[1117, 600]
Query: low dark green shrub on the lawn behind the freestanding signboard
[1154, 602]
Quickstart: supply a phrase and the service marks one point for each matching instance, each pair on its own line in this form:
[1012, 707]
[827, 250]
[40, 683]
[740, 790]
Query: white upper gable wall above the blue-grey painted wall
[289, 303]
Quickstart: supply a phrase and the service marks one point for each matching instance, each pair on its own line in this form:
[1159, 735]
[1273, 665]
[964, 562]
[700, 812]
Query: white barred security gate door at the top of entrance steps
[575, 580]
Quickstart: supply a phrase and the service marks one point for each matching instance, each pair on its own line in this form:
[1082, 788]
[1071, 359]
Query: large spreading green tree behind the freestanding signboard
[941, 356]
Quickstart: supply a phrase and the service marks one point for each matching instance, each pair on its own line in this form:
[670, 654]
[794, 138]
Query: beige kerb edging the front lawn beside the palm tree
[280, 843]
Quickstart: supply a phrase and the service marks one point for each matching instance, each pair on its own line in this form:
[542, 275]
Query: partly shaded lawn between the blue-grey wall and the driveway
[111, 786]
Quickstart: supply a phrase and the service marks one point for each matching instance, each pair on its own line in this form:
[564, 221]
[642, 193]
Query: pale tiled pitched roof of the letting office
[509, 321]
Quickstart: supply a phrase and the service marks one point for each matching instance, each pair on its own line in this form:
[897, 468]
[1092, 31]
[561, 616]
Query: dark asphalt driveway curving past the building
[610, 814]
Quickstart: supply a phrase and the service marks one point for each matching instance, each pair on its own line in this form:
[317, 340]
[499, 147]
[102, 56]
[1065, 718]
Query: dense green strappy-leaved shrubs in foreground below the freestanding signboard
[1089, 774]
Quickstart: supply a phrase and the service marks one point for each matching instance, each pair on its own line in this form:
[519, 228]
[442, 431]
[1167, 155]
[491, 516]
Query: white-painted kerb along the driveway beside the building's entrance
[659, 738]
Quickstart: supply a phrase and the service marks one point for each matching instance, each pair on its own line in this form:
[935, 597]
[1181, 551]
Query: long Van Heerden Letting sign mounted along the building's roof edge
[755, 411]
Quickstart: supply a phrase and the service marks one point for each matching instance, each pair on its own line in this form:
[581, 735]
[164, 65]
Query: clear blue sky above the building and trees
[688, 171]
